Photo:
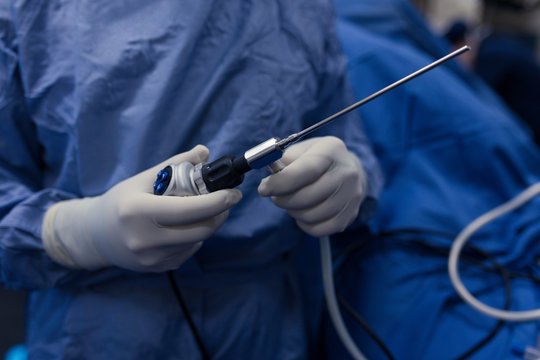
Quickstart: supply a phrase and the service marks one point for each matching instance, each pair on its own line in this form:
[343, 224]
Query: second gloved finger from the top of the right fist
[311, 195]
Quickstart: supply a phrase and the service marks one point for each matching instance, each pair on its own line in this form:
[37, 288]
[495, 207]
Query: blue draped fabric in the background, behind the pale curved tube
[449, 152]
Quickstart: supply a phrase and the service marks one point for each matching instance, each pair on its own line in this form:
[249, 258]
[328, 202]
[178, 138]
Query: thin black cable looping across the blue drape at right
[506, 275]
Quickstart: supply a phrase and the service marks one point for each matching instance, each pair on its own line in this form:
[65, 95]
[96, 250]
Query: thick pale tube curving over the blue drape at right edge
[461, 240]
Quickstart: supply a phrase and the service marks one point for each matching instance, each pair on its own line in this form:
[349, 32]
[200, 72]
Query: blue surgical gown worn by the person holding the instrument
[92, 92]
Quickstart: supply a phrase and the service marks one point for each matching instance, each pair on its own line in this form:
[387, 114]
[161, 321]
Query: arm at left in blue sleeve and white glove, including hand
[126, 227]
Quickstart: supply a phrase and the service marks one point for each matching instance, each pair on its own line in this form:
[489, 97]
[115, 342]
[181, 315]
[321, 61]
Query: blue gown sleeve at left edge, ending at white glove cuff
[23, 200]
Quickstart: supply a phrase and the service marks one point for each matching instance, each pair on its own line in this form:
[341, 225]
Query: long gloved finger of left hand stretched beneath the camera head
[178, 211]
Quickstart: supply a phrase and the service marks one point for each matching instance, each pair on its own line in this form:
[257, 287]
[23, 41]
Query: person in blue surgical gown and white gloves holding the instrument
[95, 97]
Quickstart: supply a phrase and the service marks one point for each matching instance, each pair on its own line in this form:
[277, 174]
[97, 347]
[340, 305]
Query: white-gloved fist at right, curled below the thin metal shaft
[322, 185]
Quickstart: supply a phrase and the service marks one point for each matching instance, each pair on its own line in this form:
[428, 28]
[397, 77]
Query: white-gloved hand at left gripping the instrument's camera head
[131, 228]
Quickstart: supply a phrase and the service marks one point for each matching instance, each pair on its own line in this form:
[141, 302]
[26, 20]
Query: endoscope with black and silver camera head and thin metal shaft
[186, 179]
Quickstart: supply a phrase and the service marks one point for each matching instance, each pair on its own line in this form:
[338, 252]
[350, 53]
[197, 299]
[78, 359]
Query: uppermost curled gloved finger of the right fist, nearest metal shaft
[298, 174]
